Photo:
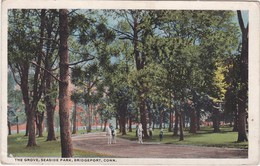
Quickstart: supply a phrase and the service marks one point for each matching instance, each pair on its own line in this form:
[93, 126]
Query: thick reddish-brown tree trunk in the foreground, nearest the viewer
[64, 98]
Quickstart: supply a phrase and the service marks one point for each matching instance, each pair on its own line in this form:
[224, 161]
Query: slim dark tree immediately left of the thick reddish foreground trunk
[51, 87]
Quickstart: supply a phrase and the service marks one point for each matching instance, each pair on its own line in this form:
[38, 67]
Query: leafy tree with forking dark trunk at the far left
[29, 45]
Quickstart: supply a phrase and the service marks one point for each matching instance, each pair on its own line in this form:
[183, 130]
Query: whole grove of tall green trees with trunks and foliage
[136, 65]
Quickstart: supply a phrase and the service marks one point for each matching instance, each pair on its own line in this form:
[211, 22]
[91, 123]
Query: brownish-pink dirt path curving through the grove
[97, 142]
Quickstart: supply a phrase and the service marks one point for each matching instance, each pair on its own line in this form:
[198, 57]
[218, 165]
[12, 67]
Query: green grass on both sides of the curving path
[205, 137]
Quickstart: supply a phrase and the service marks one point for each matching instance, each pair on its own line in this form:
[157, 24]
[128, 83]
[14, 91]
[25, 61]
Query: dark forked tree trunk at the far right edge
[242, 94]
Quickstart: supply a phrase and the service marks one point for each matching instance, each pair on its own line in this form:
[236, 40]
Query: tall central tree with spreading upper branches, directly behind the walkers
[134, 29]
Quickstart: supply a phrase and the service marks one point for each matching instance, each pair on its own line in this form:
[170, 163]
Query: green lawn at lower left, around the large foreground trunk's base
[17, 147]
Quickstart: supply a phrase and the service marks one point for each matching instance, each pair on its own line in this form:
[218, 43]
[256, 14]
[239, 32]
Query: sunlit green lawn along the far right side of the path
[204, 137]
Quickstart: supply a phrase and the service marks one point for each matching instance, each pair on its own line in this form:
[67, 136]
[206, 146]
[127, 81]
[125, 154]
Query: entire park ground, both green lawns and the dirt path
[204, 144]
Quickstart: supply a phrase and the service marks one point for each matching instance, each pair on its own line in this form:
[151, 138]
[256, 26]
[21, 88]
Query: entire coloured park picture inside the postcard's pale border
[127, 83]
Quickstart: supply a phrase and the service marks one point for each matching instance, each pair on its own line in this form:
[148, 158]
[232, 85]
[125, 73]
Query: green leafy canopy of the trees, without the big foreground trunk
[180, 52]
